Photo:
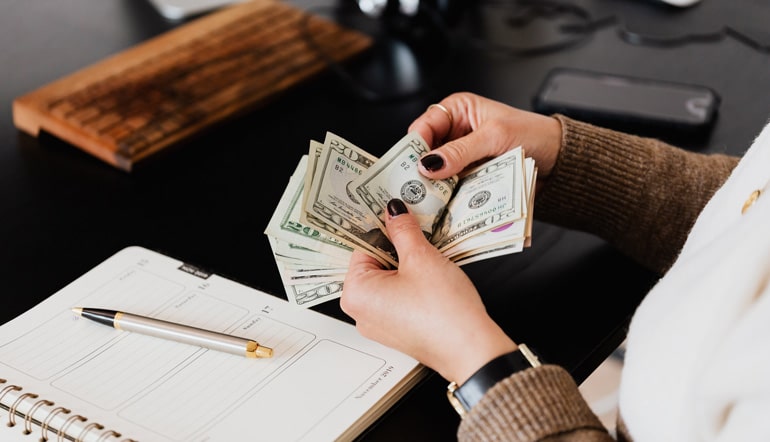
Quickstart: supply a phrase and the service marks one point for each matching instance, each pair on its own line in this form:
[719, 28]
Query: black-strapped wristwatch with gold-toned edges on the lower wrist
[464, 397]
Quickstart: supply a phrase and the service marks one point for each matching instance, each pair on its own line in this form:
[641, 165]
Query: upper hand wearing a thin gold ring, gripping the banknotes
[480, 129]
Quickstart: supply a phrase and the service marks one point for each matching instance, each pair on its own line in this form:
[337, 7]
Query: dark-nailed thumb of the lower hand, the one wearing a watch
[405, 232]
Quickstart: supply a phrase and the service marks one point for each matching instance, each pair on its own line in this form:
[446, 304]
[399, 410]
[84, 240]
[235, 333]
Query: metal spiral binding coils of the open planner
[46, 431]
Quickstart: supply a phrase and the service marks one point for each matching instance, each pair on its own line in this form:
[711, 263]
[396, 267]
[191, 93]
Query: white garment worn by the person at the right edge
[697, 364]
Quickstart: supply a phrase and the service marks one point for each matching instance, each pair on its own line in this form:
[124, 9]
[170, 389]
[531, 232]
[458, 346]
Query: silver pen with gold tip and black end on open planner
[176, 332]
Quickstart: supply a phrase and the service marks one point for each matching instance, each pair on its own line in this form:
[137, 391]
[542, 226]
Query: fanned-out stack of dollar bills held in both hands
[335, 203]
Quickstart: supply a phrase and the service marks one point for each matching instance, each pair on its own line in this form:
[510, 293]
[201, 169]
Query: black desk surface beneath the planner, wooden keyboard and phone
[569, 295]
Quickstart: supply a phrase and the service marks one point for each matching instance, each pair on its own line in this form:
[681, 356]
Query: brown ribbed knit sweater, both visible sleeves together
[642, 196]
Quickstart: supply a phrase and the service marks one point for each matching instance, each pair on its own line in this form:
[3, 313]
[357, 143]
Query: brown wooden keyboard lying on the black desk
[160, 92]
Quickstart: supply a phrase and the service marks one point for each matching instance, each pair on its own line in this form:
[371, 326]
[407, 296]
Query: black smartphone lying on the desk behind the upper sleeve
[668, 110]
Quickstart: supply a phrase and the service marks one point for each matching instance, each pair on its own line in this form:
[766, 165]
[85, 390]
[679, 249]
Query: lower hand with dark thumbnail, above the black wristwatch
[428, 308]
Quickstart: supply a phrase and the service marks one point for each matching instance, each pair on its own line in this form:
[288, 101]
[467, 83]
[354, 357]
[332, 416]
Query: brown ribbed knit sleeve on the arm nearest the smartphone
[639, 194]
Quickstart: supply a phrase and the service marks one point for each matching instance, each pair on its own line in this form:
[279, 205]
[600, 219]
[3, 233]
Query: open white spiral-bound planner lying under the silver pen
[67, 378]
